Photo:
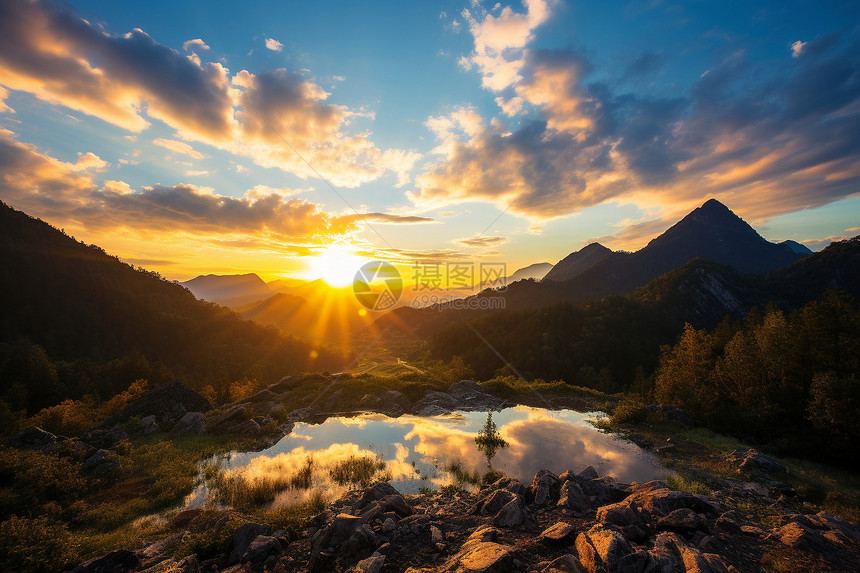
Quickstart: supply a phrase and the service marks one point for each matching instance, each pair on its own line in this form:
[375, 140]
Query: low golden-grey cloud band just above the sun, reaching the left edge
[69, 195]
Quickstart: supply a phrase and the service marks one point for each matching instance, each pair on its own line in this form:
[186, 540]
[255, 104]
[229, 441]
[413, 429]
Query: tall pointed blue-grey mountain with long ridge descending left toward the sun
[711, 232]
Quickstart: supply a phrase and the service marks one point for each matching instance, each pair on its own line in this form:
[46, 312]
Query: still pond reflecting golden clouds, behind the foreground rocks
[424, 454]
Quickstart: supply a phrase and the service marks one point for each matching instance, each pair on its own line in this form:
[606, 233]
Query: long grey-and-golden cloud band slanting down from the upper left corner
[130, 80]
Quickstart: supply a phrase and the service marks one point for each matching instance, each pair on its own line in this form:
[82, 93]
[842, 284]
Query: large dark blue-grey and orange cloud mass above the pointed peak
[765, 138]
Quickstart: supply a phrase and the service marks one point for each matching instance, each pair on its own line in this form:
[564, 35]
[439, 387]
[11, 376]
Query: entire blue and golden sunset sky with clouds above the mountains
[197, 137]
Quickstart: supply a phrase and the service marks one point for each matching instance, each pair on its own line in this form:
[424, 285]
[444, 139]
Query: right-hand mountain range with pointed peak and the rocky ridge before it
[726, 254]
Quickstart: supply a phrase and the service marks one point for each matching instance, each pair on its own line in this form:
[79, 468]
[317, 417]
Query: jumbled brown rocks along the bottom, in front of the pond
[566, 523]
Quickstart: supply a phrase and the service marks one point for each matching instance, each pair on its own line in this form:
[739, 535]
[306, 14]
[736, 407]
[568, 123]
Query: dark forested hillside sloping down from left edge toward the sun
[76, 321]
